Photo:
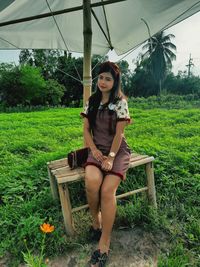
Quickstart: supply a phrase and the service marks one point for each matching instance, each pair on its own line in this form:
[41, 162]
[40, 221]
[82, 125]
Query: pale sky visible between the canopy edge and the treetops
[187, 41]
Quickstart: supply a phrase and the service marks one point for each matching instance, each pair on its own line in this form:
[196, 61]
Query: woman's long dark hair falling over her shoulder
[115, 94]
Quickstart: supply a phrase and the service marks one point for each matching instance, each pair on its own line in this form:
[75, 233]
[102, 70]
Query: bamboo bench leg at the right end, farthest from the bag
[151, 184]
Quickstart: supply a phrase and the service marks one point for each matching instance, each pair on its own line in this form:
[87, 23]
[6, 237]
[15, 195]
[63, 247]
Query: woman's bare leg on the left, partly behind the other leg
[93, 181]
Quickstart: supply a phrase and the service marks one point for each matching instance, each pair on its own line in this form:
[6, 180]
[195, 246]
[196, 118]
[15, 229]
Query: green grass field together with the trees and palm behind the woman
[40, 102]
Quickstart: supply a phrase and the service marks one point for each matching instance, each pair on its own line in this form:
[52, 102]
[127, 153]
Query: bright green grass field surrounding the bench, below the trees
[29, 140]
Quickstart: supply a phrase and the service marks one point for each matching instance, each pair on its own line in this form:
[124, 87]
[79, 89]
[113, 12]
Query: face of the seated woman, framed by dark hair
[105, 82]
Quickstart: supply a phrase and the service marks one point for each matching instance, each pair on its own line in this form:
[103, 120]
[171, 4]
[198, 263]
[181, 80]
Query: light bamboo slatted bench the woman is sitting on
[60, 175]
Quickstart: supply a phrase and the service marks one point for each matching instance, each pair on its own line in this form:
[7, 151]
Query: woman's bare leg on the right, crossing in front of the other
[108, 209]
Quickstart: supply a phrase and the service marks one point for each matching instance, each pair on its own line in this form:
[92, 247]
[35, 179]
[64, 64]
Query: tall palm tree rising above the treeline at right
[160, 51]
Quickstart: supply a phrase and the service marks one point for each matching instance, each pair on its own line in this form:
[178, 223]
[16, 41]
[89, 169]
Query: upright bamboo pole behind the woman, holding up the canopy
[87, 35]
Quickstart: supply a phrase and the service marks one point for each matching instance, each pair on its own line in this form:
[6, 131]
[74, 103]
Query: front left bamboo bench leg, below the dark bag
[66, 208]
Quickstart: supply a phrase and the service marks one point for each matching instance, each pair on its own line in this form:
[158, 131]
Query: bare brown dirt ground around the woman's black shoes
[129, 248]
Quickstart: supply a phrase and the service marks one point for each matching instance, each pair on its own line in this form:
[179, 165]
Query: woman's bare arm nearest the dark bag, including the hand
[89, 141]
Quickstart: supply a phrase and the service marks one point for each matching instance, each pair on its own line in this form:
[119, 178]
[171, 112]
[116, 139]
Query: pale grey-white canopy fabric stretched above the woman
[124, 23]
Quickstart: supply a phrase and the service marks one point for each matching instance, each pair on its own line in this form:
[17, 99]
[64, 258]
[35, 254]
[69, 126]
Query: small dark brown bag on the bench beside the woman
[78, 157]
